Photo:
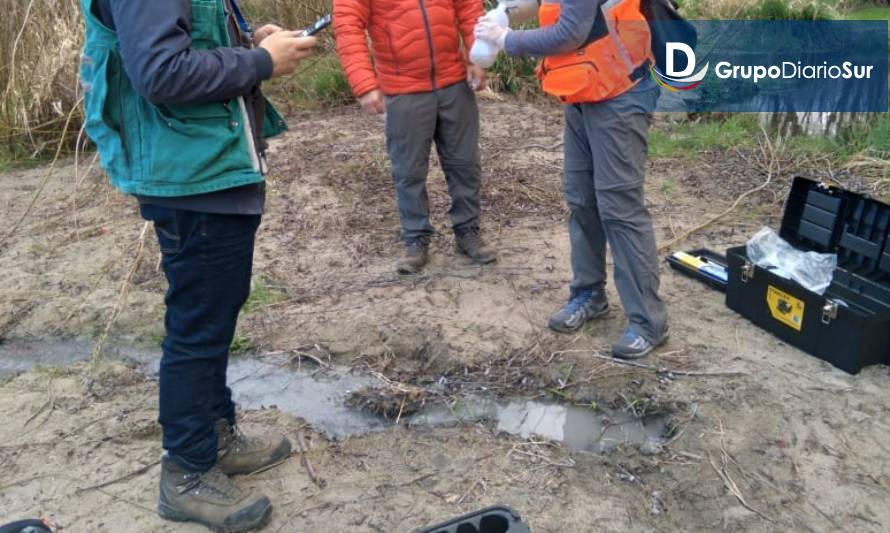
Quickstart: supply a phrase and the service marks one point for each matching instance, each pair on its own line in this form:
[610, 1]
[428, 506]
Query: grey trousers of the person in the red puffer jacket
[450, 117]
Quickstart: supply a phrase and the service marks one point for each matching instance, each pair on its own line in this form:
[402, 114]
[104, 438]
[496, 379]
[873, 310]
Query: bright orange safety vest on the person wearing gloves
[605, 67]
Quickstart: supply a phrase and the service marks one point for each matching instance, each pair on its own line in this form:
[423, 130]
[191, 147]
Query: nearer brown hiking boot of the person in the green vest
[209, 498]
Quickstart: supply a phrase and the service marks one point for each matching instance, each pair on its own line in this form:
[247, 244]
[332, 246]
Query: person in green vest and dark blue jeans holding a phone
[173, 103]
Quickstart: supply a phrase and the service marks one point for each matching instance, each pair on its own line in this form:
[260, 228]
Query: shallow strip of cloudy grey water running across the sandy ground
[319, 397]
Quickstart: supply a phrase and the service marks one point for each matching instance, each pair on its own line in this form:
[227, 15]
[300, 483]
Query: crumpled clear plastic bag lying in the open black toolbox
[811, 269]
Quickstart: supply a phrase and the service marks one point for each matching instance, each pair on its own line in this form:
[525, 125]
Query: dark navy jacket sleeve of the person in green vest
[155, 46]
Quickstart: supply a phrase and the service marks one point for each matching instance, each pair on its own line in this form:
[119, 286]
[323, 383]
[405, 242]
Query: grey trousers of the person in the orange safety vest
[606, 146]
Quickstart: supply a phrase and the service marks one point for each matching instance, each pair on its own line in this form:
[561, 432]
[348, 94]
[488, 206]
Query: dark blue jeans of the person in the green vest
[208, 260]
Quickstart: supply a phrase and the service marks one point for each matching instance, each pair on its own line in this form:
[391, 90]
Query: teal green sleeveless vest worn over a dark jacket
[167, 150]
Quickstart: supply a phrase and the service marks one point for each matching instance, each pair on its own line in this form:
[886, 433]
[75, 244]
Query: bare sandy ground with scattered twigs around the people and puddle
[787, 443]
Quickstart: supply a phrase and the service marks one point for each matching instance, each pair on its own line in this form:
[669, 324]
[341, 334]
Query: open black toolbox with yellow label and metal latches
[849, 326]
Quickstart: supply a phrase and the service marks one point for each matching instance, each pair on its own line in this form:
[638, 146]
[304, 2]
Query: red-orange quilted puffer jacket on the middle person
[415, 43]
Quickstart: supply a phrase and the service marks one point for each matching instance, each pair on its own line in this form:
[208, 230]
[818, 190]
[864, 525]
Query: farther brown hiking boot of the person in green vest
[240, 454]
